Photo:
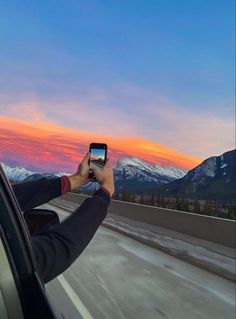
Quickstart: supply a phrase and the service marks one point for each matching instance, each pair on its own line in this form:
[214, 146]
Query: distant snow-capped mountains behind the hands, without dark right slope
[130, 174]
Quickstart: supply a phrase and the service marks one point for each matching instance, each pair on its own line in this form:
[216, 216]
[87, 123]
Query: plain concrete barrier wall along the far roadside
[214, 229]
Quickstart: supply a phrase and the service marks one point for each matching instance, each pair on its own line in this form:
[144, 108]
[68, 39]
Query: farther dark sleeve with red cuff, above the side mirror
[38, 192]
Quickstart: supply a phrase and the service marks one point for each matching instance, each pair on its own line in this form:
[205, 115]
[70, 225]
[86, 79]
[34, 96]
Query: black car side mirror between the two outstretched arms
[38, 220]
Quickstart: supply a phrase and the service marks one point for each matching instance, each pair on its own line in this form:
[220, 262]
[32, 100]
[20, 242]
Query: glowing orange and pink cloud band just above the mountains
[48, 147]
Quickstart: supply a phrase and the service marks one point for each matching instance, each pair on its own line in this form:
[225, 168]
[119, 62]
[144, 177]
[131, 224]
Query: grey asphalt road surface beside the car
[117, 277]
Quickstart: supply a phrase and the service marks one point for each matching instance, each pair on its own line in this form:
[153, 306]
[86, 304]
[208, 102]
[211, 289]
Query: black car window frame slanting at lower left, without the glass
[21, 257]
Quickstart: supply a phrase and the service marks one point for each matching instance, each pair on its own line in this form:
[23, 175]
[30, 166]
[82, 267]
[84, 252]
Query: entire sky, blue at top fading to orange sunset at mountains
[156, 71]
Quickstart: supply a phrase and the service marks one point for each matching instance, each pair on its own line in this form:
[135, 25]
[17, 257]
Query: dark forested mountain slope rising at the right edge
[214, 178]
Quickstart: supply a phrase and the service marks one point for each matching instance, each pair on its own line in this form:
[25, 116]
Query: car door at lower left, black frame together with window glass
[22, 293]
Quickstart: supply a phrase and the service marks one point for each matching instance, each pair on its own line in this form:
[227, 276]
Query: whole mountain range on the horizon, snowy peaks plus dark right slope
[214, 178]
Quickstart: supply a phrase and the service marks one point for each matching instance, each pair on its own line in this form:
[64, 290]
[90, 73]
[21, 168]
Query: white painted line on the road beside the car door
[83, 311]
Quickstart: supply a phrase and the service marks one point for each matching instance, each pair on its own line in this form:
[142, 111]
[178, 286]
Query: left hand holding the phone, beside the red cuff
[81, 176]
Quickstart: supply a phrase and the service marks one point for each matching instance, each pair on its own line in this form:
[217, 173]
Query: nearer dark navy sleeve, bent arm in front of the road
[57, 248]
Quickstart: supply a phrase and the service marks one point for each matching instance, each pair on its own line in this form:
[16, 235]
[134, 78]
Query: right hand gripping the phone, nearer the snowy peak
[105, 177]
